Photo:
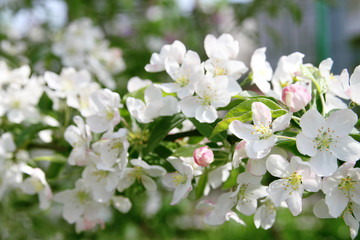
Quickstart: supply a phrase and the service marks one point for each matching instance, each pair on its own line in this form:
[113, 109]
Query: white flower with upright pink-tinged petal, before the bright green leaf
[260, 136]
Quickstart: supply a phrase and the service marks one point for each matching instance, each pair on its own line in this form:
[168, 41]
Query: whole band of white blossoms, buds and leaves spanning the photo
[297, 135]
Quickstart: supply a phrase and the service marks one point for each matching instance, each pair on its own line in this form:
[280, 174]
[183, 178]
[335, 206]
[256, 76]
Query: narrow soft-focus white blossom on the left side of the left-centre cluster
[79, 138]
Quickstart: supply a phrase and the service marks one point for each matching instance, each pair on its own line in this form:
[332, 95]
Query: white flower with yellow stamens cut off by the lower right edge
[341, 188]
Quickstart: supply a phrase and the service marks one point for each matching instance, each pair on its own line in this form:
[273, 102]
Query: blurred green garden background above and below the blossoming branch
[133, 29]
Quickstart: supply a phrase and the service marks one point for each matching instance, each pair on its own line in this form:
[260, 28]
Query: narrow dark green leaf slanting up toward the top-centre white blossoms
[160, 129]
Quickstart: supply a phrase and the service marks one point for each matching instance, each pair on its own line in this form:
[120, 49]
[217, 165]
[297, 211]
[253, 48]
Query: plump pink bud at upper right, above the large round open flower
[296, 97]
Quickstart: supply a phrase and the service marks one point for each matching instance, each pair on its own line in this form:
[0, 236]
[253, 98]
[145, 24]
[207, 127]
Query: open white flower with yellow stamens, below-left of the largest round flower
[296, 177]
